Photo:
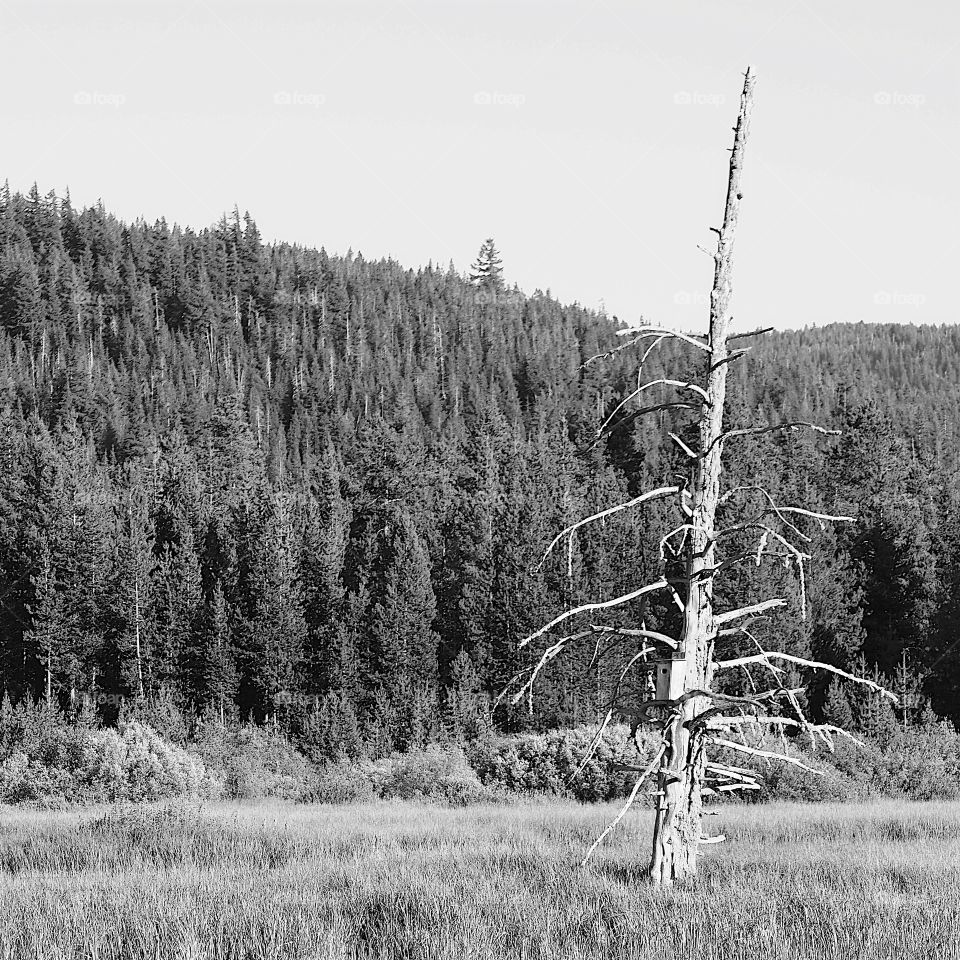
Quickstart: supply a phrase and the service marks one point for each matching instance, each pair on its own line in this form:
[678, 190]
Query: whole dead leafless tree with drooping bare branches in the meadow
[691, 714]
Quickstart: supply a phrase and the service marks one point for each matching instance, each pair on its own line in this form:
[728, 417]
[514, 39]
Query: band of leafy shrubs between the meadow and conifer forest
[50, 761]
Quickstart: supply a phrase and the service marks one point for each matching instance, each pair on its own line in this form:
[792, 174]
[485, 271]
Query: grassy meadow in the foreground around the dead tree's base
[403, 880]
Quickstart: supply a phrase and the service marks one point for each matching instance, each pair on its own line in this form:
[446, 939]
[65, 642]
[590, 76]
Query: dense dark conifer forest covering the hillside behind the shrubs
[265, 481]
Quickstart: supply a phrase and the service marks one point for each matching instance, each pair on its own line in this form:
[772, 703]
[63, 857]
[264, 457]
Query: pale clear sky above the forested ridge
[588, 137]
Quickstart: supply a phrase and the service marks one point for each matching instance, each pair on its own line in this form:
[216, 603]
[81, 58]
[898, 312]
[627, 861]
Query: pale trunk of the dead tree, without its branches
[677, 829]
